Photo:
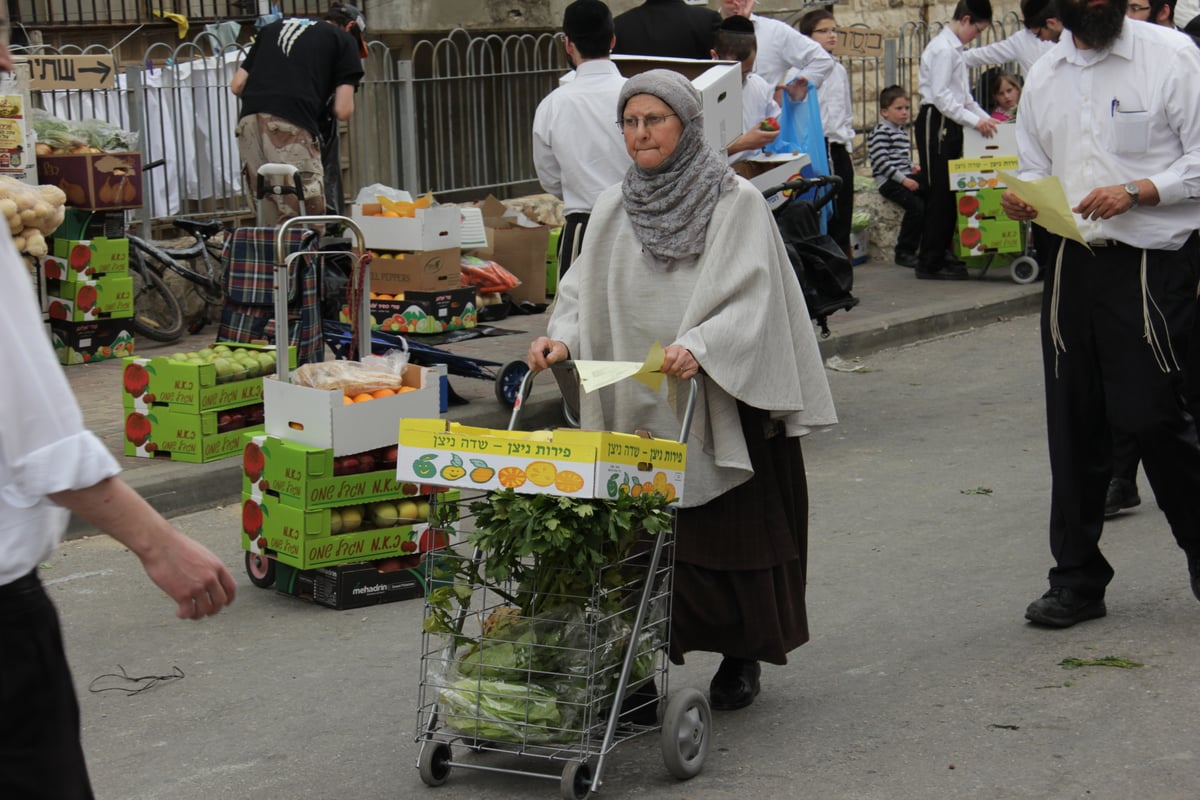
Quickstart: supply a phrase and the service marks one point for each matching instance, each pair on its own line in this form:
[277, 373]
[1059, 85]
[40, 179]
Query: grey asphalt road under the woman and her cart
[922, 681]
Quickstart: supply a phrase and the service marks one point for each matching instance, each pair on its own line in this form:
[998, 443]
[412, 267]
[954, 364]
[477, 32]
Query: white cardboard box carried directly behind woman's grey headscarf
[719, 85]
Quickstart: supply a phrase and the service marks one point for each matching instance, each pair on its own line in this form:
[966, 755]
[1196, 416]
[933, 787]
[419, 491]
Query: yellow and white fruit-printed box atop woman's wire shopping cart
[568, 462]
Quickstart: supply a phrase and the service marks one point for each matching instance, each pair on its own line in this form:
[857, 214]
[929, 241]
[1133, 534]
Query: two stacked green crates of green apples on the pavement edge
[195, 411]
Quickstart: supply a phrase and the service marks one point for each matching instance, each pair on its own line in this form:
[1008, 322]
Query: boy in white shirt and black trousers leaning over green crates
[946, 107]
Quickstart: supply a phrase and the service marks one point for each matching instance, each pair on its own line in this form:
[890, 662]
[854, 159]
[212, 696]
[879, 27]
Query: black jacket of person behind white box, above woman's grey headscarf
[668, 28]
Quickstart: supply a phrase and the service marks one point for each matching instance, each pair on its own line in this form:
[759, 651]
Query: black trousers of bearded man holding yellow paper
[1107, 376]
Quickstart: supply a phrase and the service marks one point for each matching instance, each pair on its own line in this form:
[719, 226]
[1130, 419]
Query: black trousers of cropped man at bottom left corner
[41, 757]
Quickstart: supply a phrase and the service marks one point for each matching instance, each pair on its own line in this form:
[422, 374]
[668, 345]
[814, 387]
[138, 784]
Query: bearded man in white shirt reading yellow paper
[1111, 112]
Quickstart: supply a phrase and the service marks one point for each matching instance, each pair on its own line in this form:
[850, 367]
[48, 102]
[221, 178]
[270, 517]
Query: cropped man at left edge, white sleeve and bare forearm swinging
[51, 466]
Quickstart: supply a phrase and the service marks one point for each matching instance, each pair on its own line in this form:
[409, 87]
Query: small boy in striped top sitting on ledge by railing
[891, 154]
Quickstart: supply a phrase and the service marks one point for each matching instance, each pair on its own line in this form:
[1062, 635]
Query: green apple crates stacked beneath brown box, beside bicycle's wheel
[89, 292]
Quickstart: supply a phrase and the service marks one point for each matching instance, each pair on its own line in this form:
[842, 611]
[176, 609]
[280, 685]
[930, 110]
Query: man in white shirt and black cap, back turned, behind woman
[578, 148]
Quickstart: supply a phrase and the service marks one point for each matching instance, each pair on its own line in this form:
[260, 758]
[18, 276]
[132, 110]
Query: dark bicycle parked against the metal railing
[158, 312]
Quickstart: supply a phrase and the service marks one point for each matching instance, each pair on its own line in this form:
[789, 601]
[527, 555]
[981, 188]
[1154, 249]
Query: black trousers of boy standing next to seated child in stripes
[939, 141]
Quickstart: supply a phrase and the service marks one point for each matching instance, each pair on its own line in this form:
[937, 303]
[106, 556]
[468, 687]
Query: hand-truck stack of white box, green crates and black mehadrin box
[323, 513]
